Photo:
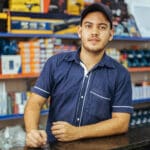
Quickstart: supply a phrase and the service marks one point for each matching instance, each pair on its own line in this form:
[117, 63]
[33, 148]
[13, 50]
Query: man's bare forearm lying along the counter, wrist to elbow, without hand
[105, 128]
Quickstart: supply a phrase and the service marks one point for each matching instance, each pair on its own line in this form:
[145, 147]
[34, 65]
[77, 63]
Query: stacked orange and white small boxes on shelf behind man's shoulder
[34, 53]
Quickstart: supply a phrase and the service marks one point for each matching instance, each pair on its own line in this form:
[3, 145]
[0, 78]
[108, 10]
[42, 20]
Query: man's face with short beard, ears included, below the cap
[95, 32]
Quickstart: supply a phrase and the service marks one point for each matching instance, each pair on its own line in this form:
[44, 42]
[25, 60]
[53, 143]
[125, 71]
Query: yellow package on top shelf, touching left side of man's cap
[75, 6]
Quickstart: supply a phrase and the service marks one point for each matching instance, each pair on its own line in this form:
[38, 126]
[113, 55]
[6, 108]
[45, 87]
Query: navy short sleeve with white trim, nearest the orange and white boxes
[44, 83]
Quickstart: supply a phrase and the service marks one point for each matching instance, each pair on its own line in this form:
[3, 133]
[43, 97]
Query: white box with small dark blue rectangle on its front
[10, 64]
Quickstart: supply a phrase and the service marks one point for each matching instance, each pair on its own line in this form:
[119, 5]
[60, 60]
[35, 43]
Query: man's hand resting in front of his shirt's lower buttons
[64, 131]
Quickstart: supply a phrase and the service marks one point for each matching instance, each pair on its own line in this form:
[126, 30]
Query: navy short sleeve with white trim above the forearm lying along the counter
[122, 100]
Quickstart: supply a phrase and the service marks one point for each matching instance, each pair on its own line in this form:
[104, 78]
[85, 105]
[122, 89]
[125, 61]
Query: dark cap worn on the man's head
[97, 7]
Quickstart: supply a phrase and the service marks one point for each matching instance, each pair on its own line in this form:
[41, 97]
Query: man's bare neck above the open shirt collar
[90, 59]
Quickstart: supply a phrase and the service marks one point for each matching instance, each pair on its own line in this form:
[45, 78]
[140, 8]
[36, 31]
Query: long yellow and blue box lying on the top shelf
[31, 25]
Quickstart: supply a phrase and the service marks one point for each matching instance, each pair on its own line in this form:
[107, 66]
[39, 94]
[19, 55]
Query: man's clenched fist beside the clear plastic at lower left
[36, 138]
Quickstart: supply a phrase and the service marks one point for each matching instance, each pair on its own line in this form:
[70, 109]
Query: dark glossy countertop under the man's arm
[135, 139]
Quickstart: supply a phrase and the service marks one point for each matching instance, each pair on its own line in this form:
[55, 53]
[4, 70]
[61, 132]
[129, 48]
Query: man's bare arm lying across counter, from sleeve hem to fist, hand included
[64, 131]
